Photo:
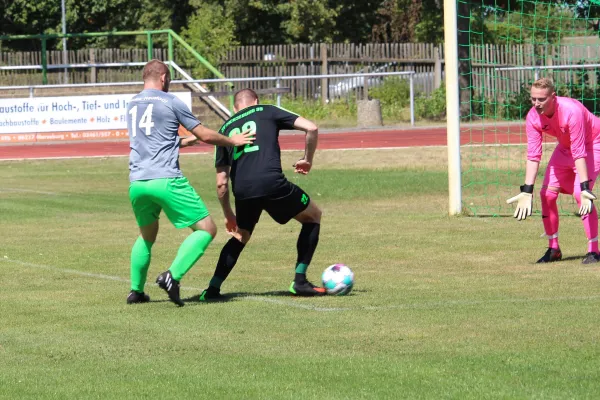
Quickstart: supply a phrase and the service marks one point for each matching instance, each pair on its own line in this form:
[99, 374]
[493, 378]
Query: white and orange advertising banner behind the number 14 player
[44, 119]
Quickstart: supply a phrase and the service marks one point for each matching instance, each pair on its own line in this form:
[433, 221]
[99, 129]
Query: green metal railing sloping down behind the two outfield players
[172, 37]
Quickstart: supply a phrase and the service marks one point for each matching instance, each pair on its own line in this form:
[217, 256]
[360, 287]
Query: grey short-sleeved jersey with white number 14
[153, 119]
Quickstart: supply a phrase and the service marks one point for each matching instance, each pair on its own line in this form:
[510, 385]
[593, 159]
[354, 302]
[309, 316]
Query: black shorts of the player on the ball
[282, 206]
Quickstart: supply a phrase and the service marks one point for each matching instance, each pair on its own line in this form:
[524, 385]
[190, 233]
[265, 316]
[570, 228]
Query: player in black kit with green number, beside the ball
[258, 184]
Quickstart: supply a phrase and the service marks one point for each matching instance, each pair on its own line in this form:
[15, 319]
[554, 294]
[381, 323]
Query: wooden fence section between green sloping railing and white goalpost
[315, 59]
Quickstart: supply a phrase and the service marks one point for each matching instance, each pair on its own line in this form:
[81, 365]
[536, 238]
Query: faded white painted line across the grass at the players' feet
[266, 299]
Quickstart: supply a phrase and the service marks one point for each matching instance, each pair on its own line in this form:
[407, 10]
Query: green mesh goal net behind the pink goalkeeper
[503, 46]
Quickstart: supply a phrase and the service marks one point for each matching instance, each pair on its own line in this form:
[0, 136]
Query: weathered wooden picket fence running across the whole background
[425, 59]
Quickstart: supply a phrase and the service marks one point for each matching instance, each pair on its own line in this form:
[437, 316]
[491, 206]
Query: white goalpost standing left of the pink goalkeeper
[452, 106]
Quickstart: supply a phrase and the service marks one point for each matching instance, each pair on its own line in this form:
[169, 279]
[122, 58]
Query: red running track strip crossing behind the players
[339, 140]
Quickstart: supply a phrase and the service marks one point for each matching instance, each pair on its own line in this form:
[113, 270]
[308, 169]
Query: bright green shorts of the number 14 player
[176, 196]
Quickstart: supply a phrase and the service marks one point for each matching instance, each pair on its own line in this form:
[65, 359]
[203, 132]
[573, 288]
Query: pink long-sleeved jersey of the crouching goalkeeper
[572, 124]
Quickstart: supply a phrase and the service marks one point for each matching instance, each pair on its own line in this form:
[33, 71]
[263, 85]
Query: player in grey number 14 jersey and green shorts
[156, 182]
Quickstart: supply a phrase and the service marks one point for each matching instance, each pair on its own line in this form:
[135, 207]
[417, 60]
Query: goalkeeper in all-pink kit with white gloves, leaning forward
[572, 169]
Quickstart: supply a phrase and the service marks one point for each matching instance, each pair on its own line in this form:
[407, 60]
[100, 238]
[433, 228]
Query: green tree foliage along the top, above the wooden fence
[295, 21]
